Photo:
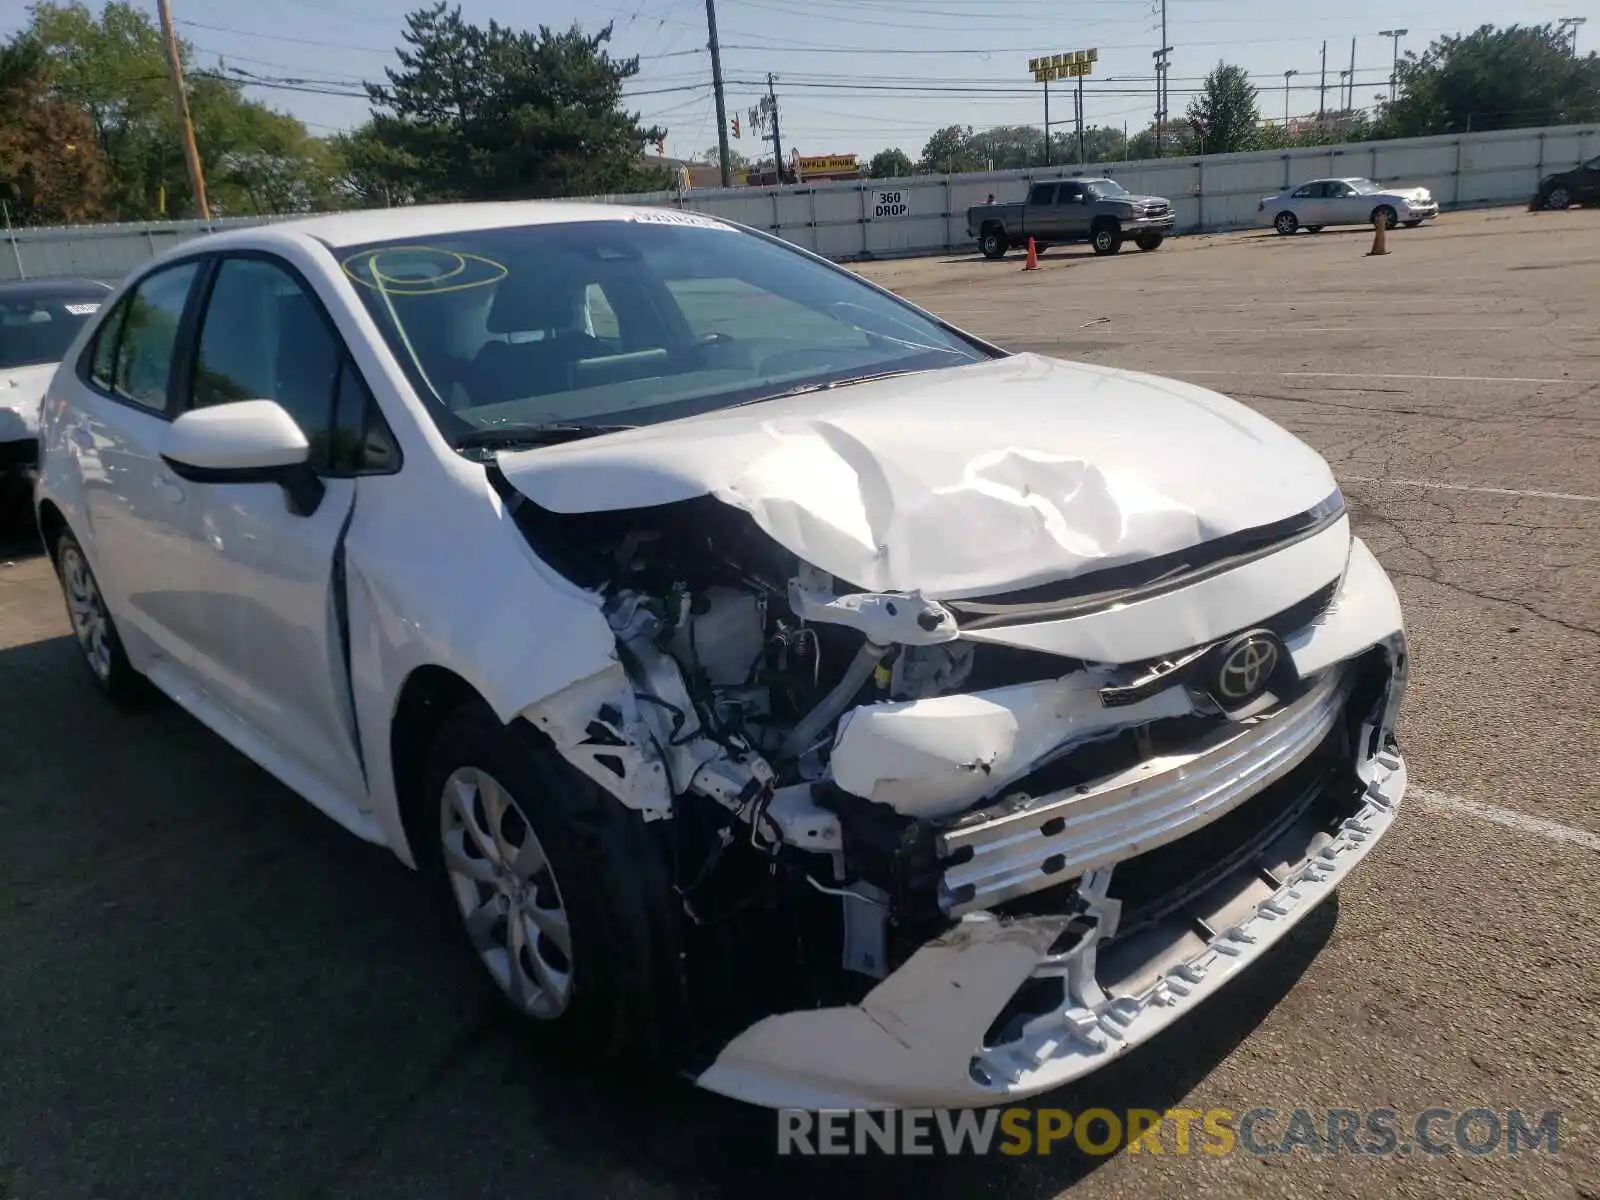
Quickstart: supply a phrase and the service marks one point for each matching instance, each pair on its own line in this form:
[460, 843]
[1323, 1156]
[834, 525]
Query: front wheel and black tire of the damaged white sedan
[556, 889]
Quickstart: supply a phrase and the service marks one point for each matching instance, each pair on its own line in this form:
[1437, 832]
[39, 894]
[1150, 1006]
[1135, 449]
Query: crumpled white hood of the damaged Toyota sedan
[959, 482]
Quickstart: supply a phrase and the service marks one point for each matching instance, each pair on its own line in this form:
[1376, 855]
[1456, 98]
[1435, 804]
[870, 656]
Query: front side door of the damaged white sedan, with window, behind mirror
[268, 601]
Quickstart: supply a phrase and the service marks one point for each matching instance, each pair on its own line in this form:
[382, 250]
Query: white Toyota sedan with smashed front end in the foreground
[777, 681]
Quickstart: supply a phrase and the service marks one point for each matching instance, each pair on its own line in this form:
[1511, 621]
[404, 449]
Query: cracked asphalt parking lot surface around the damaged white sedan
[209, 990]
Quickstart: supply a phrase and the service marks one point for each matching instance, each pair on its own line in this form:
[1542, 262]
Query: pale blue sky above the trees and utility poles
[857, 76]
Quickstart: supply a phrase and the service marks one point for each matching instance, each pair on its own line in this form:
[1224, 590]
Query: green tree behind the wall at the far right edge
[1494, 79]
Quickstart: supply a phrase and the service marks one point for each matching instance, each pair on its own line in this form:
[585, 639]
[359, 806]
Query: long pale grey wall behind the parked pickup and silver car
[1212, 193]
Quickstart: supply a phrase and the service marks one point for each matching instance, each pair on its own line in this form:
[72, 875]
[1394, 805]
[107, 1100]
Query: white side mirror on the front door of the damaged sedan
[246, 442]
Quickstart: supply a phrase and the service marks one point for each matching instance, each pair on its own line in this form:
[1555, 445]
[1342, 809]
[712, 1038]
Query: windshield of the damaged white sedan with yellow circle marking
[628, 322]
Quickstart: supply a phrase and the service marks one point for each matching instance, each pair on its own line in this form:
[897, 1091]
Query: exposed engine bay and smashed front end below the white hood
[846, 777]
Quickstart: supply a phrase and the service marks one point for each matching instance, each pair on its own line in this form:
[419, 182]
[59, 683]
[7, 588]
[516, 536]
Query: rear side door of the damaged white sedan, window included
[137, 516]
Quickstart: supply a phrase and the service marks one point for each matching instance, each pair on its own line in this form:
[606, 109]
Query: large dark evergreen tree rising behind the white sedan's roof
[498, 114]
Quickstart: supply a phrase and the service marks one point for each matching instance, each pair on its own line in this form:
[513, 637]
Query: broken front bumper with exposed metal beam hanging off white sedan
[1087, 924]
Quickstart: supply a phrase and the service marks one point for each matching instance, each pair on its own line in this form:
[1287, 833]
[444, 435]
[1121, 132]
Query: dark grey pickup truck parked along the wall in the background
[1100, 212]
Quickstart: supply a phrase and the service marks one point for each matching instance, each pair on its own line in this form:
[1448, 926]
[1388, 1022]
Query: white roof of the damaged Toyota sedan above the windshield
[418, 222]
